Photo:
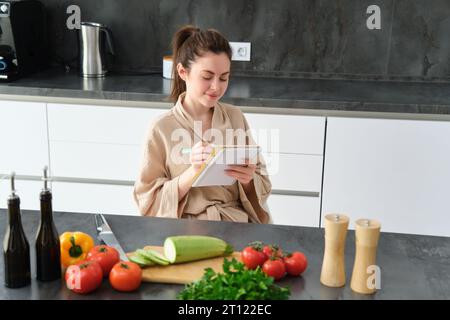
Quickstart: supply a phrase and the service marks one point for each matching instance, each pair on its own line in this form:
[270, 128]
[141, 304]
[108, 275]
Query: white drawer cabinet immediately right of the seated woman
[293, 151]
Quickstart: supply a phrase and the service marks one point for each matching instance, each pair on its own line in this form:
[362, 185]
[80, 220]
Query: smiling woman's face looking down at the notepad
[207, 79]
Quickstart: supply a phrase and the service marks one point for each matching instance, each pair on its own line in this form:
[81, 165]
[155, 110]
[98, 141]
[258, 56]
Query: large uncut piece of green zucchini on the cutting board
[178, 249]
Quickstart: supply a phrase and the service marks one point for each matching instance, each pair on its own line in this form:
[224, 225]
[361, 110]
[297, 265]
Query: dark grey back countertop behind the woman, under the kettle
[283, 93]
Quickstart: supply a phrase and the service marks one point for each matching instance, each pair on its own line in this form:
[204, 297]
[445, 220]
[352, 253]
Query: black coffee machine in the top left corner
[23, 38]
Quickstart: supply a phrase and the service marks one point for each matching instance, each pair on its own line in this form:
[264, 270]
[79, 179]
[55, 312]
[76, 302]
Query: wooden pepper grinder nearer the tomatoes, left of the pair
[333, 266]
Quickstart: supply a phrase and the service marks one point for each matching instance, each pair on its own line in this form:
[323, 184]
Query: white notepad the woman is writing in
[213, 171]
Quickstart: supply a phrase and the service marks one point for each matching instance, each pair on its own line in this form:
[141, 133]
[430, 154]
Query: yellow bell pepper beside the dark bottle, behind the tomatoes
[74, 247]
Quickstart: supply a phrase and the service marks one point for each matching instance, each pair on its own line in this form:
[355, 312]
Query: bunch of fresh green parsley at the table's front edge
[235, 283]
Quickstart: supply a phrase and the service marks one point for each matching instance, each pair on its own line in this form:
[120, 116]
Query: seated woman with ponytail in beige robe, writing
[202, 60]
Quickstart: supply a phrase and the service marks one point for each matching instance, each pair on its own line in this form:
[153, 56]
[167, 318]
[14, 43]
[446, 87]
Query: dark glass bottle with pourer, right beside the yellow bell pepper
[48, 264]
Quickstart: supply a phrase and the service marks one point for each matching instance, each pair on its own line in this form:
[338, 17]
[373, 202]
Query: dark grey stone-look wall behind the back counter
[307, 38]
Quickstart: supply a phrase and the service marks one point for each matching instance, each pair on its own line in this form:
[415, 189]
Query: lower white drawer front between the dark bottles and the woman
[93, 198]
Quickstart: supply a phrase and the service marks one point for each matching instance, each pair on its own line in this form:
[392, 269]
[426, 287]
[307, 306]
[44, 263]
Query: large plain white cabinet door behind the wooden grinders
[395, 171]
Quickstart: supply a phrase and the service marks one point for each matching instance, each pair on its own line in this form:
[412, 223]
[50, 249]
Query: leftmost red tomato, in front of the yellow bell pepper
[84, 277]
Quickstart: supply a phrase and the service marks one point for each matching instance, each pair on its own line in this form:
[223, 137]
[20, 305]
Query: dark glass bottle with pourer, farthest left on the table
[16, 250]
